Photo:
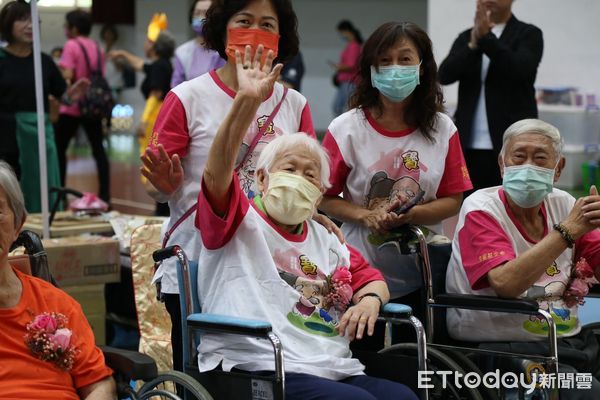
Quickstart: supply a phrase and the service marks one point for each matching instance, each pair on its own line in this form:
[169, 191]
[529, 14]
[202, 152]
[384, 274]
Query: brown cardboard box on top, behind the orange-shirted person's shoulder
[83, 260]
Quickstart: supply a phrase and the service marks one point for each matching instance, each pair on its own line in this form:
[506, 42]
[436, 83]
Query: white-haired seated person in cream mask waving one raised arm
[266, 259]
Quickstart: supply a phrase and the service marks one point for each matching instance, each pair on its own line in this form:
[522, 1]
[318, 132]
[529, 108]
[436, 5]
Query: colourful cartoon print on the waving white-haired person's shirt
[313, 312]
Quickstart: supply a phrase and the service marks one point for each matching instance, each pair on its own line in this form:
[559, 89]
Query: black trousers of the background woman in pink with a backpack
[66, 128]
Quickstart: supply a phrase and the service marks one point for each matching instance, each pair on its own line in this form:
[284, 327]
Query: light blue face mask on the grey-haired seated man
[528, 185]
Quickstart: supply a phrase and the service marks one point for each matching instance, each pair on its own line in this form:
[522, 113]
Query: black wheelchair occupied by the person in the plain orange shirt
[127, 365]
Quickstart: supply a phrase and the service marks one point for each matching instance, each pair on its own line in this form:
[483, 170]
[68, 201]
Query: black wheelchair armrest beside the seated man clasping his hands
[486, 303]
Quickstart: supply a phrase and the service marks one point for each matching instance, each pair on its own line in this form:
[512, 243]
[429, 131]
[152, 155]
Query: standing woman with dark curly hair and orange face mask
[192, 112]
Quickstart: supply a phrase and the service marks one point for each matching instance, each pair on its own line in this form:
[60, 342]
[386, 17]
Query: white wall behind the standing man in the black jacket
[571, 33]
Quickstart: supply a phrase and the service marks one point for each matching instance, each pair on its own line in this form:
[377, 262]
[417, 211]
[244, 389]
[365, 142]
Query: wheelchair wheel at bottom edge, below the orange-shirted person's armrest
[163, 387]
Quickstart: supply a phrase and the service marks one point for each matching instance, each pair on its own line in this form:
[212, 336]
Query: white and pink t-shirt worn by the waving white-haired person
[251, 269]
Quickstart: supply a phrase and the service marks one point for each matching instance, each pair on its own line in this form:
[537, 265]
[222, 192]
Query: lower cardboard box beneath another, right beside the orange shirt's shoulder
[91, 299]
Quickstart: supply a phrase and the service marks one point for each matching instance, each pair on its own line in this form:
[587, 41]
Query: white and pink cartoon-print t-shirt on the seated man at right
[488, 235]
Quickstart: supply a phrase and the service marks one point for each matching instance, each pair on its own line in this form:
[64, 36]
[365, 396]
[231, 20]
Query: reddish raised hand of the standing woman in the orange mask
[164, 173]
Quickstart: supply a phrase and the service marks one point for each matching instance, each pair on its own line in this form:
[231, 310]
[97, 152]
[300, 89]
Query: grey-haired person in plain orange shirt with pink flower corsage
[46, 345]
